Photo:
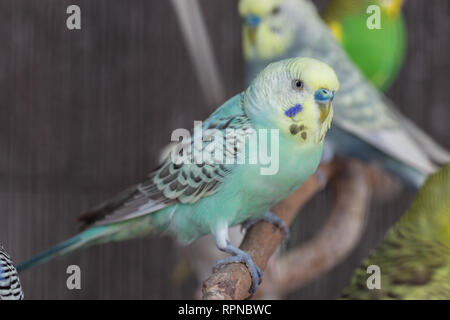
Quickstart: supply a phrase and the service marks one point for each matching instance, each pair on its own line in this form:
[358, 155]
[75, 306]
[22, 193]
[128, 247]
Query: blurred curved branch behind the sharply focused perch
[332, 244]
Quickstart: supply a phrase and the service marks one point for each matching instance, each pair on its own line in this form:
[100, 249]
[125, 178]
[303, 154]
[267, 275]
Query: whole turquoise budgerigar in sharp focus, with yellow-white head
[293, 97]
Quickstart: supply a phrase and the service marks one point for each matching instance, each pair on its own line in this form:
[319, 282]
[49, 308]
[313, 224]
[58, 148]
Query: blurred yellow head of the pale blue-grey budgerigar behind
[265, 33]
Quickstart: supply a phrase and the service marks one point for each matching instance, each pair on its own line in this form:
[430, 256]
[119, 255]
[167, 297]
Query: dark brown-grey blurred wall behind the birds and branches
[85, 113]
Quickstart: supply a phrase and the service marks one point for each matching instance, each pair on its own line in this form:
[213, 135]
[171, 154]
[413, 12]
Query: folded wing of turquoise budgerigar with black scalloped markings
[178, 183]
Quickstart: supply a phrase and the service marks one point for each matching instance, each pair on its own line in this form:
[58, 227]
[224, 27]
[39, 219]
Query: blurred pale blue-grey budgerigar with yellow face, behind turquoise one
[365, 124]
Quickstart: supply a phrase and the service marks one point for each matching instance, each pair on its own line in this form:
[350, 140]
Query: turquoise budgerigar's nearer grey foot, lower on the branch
[239, 256]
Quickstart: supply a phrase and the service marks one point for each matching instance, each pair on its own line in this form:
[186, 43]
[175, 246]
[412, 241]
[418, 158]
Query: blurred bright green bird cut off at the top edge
[379, 53]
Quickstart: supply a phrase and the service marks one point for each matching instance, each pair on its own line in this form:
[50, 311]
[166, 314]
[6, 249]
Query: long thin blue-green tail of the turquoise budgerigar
[80, 240]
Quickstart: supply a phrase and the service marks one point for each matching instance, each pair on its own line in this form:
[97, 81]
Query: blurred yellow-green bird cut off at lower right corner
[414, 256]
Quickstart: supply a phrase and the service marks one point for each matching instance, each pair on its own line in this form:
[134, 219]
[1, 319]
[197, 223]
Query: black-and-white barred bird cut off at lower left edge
[10, 288]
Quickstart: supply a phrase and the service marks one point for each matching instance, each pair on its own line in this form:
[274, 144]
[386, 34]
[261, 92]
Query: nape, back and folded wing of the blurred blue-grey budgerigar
[361, 110]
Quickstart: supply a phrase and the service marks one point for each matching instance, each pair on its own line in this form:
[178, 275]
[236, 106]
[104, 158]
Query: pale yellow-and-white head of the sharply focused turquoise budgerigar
[295, 96]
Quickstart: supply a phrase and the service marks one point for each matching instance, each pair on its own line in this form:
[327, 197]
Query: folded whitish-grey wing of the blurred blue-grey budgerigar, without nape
[361, 110]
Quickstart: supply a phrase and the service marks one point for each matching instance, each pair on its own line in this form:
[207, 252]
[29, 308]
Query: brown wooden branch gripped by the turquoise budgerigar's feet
[233, 281]
